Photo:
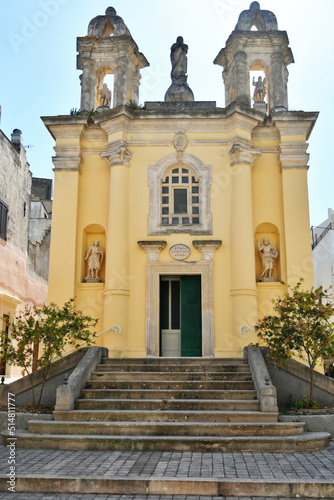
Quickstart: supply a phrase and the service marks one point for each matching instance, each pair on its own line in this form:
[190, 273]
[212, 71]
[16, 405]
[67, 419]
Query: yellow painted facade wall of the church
[87, 203]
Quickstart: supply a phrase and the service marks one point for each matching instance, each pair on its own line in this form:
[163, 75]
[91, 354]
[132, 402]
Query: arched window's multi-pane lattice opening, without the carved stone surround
[180, 197]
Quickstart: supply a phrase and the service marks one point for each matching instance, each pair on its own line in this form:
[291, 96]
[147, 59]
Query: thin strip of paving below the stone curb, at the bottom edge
[75, 496]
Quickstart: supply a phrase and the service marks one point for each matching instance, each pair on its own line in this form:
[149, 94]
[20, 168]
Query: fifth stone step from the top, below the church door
[167, 394]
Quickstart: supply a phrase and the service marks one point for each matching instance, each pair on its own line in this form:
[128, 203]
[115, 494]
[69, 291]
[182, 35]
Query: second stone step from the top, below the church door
[172, 367]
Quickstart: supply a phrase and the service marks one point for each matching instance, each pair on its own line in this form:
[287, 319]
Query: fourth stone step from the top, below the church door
[173, 385]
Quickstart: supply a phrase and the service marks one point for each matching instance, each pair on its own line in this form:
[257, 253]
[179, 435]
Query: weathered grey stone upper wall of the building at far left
[15, 188]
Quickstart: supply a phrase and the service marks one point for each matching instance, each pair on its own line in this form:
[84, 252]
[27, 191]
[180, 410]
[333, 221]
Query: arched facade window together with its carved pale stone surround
[180, 196]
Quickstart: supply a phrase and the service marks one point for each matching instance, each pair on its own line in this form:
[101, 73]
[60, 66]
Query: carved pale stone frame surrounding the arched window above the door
[156, 175]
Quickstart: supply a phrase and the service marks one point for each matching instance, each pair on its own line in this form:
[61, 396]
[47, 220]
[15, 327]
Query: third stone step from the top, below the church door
[191, 376]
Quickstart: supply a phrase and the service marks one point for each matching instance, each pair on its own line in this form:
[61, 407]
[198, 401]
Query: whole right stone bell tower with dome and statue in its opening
[264, 49]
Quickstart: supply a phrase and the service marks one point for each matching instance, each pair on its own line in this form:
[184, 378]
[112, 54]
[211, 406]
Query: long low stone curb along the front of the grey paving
[173, 486]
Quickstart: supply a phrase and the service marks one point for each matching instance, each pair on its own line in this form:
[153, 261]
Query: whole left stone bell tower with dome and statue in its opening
[108, 48]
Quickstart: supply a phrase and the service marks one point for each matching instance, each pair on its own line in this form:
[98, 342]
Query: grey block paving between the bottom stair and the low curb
[291, 466]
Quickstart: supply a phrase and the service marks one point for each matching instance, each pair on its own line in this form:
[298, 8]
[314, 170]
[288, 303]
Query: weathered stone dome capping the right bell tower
[263, 20]
